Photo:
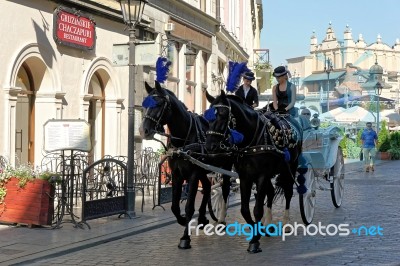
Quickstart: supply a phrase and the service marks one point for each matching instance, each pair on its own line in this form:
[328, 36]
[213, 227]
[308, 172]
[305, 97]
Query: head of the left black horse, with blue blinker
[157, 108]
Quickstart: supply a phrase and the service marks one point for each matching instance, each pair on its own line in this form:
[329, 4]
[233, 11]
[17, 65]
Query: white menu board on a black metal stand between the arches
[67, 135]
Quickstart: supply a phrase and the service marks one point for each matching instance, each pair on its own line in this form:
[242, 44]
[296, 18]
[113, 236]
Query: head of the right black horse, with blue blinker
[219, 135]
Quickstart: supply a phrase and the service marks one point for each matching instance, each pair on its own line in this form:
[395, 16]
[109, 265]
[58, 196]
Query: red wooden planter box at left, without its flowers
[32, 204]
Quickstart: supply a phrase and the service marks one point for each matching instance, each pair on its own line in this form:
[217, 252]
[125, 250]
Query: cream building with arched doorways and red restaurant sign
[67, 60]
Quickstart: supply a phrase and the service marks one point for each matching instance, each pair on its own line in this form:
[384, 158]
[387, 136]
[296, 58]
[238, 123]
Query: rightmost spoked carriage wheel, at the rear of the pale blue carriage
[337, 184]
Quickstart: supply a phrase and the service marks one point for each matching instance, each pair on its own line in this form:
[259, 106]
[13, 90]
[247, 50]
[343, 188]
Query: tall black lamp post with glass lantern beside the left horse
[132, 11]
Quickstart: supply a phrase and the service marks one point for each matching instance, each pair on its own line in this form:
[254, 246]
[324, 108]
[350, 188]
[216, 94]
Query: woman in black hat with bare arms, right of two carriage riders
[284, 93]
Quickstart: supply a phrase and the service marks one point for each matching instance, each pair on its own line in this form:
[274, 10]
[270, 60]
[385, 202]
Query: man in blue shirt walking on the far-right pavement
[369, 140]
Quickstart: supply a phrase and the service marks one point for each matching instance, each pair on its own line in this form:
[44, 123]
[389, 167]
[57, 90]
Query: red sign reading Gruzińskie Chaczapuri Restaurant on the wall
[74, 29]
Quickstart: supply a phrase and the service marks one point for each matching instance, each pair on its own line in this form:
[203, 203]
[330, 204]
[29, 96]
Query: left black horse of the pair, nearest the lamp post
[187, 134]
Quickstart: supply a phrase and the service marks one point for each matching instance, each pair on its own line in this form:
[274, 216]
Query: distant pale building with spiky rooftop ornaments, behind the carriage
[348, 61]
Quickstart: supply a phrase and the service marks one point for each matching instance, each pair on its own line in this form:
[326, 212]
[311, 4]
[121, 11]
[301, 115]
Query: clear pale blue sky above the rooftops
[288, 25]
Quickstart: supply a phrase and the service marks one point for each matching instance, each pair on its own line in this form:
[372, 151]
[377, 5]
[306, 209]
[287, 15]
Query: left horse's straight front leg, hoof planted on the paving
[189, 211]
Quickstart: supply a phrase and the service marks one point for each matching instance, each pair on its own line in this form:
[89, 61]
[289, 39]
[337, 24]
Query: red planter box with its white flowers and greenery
[26, 196]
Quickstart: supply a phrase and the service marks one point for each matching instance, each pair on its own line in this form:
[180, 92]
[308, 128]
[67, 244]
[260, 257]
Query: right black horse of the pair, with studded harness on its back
[262, 154]
